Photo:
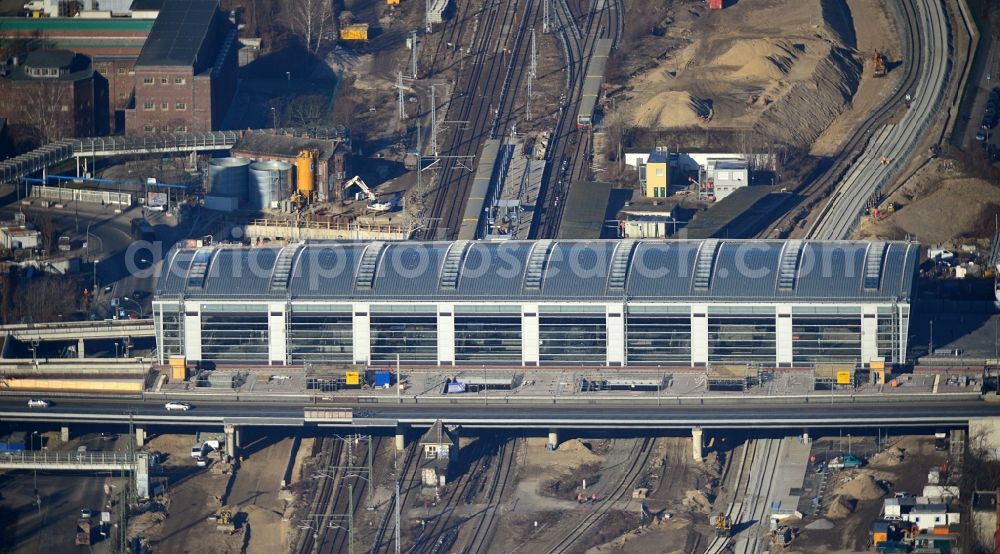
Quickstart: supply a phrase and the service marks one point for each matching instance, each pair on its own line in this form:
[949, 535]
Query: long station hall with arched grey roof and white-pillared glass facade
[538, 303]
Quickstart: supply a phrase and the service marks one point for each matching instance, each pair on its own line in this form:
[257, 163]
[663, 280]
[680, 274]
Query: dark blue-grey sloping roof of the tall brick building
[178, 33]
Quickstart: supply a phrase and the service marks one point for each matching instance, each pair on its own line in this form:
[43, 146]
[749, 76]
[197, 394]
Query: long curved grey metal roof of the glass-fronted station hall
[658, 270]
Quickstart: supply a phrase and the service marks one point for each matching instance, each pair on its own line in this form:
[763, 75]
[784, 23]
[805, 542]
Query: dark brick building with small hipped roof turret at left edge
[48, 95]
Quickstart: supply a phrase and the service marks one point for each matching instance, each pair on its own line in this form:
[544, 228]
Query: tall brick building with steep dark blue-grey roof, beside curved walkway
[185, 76]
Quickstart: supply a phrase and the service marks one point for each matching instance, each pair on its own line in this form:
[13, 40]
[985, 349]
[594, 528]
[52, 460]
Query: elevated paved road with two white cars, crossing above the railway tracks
[861, 414]
